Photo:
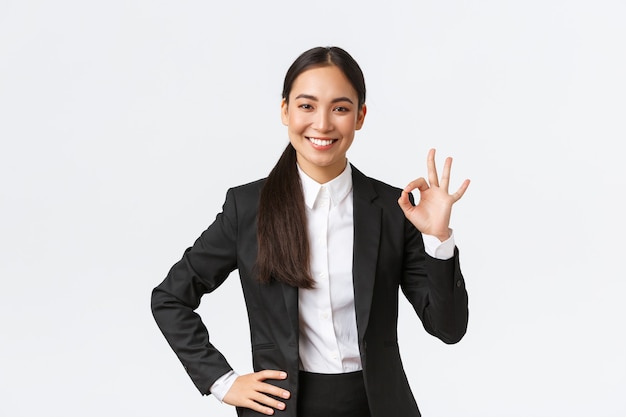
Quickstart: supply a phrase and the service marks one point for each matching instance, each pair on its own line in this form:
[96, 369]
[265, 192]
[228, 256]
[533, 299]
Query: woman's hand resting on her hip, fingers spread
[250, 391]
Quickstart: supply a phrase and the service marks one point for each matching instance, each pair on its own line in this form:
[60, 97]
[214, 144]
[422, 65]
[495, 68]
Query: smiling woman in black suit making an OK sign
[321, 251]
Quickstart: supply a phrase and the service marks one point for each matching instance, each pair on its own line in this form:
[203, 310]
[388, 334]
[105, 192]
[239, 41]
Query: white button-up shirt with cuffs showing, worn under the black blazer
[328, 334]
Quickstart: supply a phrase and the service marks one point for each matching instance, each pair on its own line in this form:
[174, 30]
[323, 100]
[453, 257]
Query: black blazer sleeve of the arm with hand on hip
[202, 269]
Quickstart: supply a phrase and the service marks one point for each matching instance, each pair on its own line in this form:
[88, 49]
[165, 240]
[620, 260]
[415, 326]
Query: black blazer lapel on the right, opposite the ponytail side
[367, 223]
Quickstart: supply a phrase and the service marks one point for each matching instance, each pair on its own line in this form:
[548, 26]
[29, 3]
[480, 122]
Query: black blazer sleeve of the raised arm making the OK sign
[435, 288]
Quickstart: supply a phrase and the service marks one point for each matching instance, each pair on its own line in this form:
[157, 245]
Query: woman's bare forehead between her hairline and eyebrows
[323, 82]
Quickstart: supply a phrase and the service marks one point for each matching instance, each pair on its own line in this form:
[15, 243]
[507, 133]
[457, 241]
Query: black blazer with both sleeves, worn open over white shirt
[388, 256]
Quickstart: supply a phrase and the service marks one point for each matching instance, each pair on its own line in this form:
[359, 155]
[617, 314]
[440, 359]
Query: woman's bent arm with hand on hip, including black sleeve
[202, 269]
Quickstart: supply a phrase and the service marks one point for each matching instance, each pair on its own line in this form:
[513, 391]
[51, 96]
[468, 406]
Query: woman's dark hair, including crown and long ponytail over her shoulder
[284, 253]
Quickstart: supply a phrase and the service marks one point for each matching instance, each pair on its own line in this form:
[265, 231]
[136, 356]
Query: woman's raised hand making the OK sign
[432, 213]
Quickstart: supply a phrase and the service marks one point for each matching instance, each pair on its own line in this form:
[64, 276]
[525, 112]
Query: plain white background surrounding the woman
[123, 123]
